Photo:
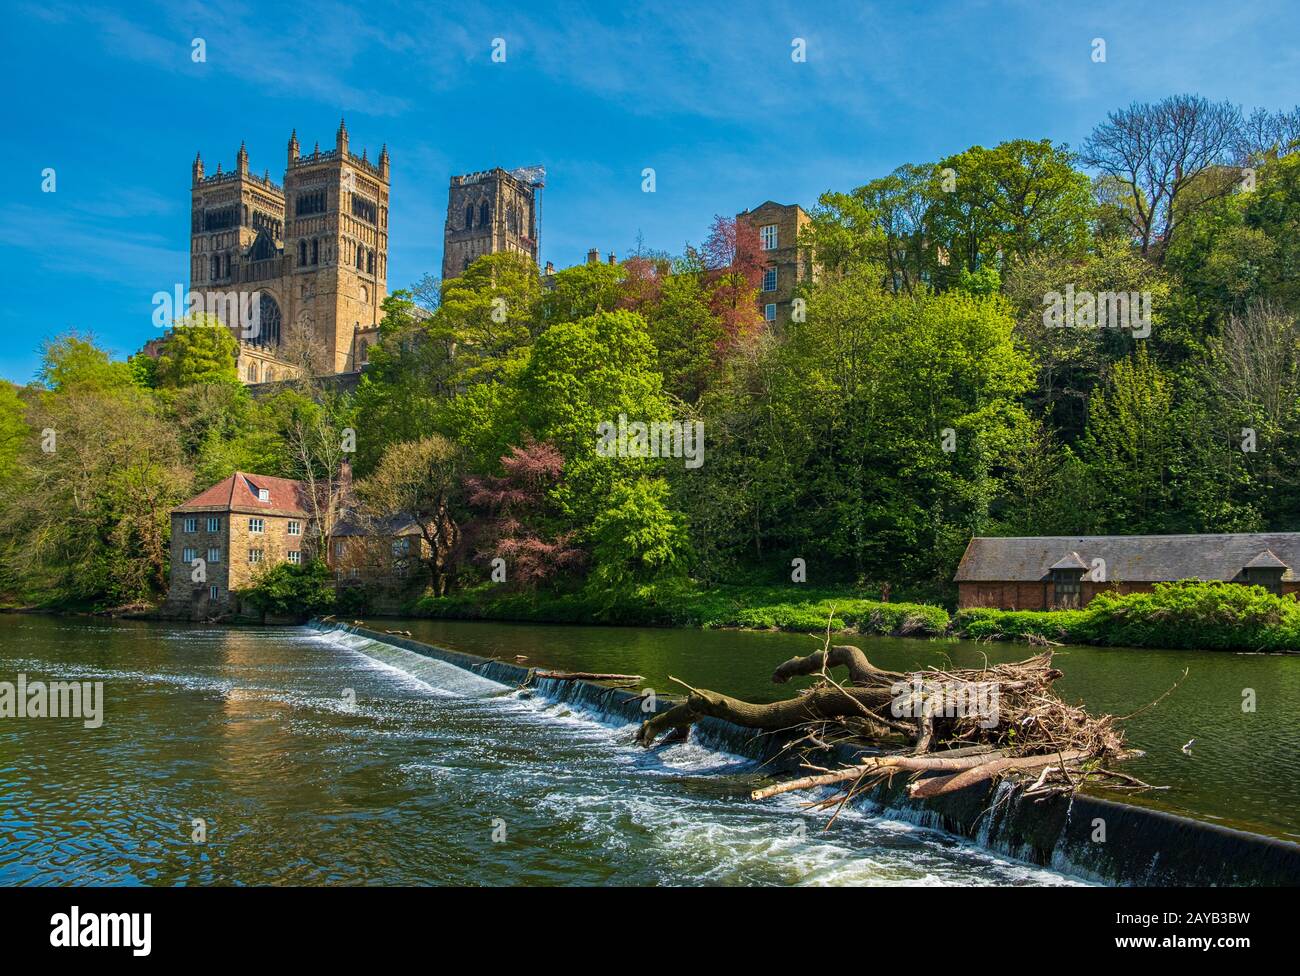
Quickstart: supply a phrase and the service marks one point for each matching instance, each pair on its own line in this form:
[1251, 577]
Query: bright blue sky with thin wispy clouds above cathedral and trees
[110, 98]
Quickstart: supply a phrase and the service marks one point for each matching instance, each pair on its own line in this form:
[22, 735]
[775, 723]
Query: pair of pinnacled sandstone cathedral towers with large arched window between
[313, 251]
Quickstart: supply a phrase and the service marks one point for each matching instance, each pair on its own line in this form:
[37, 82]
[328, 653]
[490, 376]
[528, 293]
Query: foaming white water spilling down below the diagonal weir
[677, 815]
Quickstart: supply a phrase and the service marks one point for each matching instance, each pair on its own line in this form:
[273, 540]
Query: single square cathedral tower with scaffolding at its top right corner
[492, 212]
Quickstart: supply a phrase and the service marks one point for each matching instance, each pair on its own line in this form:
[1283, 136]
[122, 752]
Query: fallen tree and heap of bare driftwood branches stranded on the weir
[946, 730]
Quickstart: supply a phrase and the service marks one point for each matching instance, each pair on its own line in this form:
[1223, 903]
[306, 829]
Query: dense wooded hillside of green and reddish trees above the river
[918, 396]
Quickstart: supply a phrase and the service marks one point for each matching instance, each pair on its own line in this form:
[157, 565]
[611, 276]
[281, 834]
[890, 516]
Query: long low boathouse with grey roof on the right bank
[1065, 572]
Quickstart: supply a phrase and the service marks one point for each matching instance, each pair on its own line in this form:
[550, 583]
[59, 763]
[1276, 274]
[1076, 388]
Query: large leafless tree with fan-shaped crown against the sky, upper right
[1173, 158]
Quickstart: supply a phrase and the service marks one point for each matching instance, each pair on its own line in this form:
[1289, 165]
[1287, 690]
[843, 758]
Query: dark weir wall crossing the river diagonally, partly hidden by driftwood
[1090, 838]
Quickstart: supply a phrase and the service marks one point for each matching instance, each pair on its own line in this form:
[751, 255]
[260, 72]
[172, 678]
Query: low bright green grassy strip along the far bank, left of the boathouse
[690, 606]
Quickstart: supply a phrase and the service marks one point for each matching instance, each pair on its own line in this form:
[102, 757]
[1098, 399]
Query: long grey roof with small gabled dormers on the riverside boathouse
[1130, 558]
